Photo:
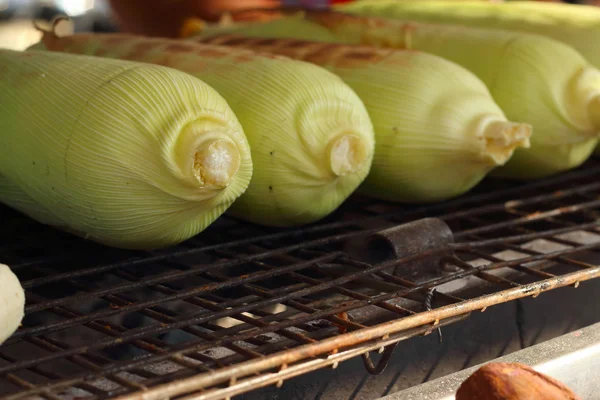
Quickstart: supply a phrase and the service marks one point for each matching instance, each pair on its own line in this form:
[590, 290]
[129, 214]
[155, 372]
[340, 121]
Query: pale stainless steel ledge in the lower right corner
[573, 359]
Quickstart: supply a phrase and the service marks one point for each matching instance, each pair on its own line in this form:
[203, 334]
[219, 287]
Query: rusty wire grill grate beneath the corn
[241, 306]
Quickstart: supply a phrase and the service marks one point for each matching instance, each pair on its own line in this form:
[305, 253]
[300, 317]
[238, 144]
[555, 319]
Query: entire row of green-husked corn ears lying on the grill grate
[141, 143]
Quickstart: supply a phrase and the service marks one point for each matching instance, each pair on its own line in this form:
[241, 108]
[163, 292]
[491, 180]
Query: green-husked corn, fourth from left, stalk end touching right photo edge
[532, 78]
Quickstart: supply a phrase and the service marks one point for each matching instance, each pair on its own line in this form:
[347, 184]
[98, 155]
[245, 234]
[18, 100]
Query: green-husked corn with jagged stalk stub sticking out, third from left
[438, 131]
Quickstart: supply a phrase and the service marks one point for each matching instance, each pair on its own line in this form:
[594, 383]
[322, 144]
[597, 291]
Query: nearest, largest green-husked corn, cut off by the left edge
[125, 154]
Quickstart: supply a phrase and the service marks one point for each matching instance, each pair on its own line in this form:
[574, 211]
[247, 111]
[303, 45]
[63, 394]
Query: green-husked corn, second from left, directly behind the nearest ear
[311, 137]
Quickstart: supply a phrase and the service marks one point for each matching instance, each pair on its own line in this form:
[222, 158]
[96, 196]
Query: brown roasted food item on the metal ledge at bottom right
[512, 381]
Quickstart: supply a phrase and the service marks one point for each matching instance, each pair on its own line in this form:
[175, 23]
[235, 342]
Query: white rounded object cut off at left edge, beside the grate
[12, 303]
